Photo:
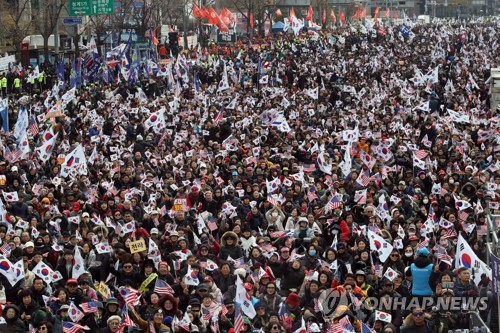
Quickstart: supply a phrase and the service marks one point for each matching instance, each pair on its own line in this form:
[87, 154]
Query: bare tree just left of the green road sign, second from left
[45, 15]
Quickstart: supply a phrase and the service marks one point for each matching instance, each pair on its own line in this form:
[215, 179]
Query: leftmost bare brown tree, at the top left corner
[17, 22]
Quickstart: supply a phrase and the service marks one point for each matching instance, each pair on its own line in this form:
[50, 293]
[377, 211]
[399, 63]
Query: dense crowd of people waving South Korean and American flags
[238, 187]
